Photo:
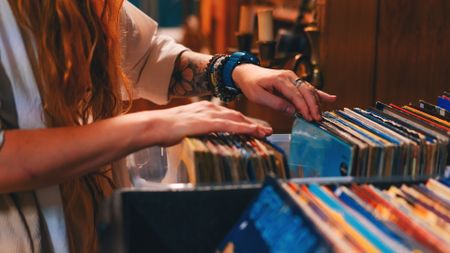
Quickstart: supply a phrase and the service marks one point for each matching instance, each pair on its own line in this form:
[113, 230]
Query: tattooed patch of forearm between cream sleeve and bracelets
[190, 77]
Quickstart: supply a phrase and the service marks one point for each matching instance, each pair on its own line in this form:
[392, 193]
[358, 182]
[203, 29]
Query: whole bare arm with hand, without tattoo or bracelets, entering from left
[34, 158]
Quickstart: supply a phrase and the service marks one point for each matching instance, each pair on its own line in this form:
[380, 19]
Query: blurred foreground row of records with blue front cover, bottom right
[288, 217]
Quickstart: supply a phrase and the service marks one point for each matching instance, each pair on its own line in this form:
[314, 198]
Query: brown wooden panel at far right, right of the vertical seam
[413, 50]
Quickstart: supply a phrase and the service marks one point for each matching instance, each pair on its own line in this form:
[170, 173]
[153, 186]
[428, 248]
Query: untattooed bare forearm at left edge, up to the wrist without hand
[33, 158]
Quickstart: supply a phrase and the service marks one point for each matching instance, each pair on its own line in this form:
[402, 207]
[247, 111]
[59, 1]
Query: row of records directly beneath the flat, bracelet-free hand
[227, 158]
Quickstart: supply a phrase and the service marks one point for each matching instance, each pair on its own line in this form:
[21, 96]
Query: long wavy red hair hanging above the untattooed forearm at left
[74, 47]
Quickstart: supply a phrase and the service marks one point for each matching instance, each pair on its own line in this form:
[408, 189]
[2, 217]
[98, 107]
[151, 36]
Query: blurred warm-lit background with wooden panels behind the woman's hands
[394, 51]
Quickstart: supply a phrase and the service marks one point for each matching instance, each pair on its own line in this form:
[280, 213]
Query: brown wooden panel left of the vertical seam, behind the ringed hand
[347, 53]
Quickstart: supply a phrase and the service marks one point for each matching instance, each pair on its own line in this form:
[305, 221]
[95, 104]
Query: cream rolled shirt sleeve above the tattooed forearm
[148, 58]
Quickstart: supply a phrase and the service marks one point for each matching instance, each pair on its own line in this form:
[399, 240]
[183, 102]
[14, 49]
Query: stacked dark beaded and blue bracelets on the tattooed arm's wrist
[220, 69]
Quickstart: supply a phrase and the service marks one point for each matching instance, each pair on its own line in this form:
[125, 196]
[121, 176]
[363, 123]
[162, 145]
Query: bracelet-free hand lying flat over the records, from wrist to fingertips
[172, 125]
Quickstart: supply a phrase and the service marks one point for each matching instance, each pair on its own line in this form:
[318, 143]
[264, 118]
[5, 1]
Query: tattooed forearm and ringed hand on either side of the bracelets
[273, 88]
